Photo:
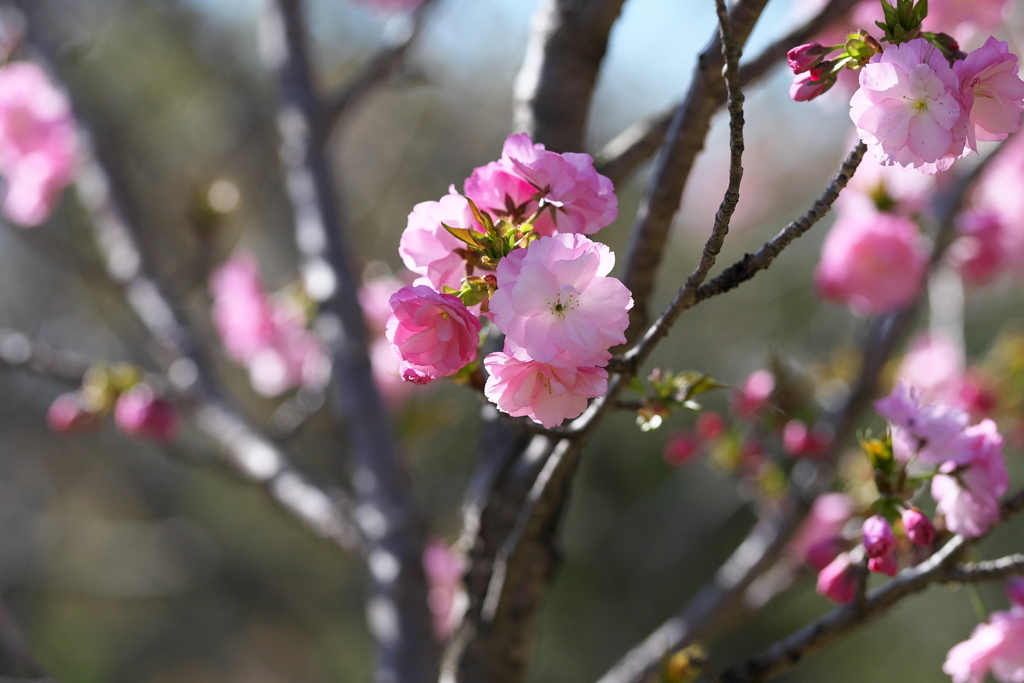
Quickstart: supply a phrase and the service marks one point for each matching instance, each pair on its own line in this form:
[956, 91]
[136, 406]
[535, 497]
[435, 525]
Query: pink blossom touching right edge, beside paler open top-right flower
[992, 92]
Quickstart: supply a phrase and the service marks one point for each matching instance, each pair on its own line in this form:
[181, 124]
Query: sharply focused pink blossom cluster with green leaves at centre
[514, 250]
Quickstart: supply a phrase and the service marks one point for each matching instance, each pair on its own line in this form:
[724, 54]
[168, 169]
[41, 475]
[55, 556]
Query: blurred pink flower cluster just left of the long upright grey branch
[267, 334]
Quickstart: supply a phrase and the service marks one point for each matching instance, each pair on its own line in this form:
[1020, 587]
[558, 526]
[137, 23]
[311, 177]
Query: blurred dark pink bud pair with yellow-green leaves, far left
[140, 411]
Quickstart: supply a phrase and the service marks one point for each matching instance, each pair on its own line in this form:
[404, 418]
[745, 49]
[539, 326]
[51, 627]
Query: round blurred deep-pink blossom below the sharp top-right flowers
[874, 264]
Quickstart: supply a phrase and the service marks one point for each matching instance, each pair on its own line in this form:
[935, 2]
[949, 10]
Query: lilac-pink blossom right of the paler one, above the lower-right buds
[968, 495]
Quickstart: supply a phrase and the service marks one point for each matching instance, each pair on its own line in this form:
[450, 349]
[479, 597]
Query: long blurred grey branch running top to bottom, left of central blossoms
[388, 511]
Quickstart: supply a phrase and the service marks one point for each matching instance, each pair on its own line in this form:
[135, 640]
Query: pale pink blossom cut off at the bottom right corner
[996, 647]
